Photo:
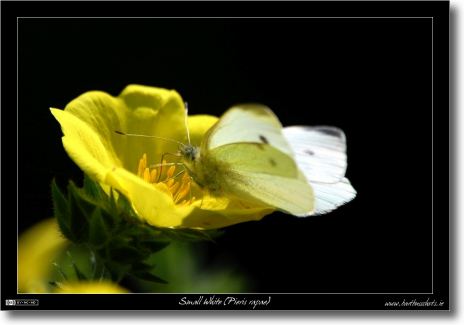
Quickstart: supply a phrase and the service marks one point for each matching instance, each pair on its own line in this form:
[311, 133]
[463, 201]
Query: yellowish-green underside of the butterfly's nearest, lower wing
[261, 174]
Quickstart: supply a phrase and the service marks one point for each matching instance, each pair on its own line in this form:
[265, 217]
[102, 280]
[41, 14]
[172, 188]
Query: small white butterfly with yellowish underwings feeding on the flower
[248, 157]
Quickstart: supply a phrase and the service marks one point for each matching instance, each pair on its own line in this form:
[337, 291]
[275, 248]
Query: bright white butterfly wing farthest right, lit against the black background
[320, 153]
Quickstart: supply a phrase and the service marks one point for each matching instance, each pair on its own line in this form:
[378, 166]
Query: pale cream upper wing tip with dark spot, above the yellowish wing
[247, 123]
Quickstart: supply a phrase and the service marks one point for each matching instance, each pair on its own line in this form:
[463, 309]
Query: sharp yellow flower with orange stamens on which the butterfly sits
[123, 163]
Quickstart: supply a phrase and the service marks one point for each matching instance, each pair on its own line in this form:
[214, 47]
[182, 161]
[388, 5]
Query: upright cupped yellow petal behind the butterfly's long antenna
[138, 109]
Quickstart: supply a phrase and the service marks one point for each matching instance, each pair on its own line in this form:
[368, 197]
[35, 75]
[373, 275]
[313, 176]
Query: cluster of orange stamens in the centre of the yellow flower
[164, 179]
